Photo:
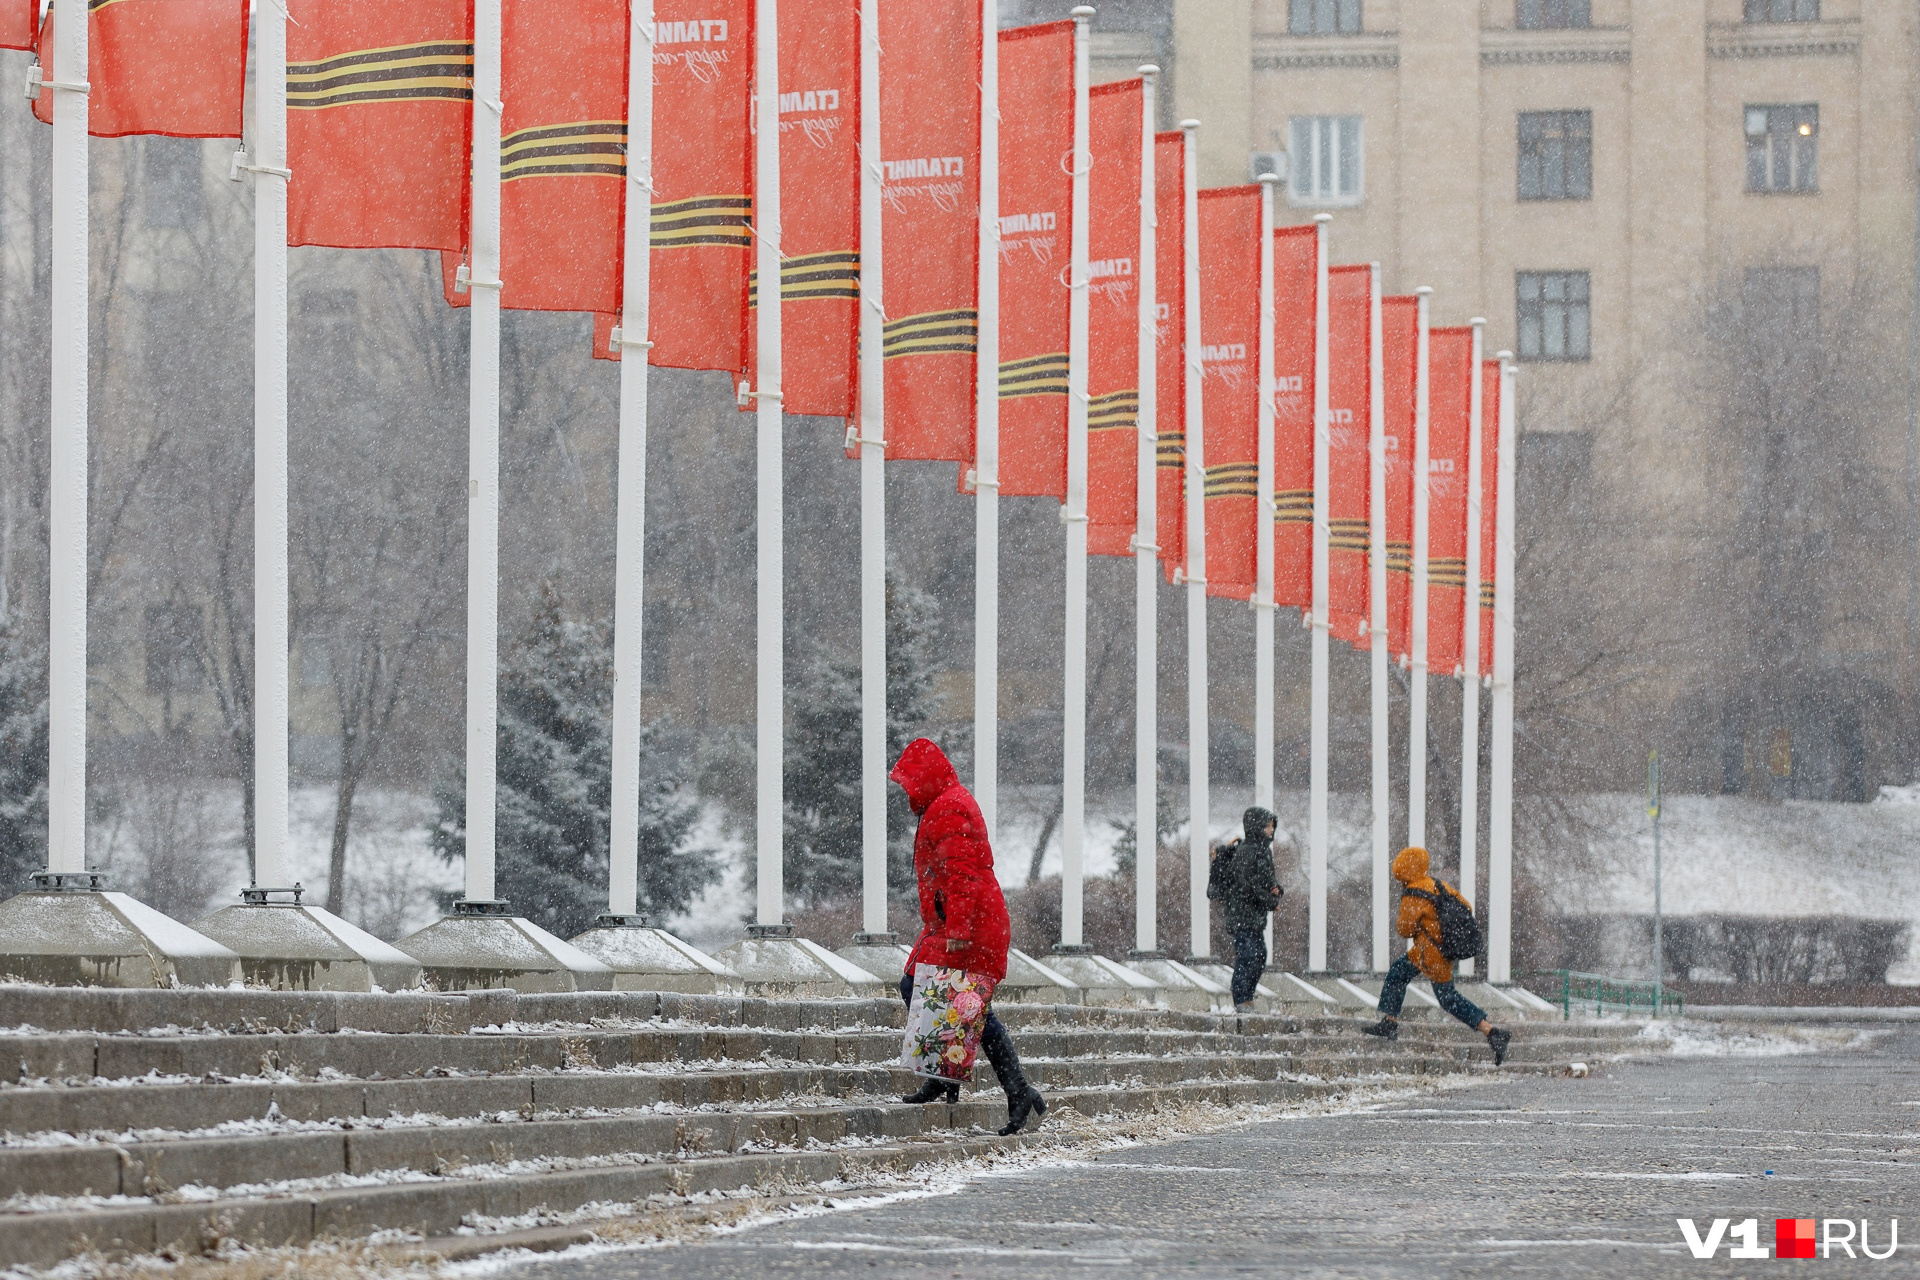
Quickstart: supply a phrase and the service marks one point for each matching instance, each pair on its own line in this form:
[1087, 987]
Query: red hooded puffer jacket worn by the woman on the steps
[959, 895]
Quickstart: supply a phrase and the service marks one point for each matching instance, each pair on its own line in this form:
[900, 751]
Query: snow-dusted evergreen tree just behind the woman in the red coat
[823, 770]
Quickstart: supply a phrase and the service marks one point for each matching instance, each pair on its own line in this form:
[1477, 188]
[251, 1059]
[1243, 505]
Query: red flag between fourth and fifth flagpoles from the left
[702, 183]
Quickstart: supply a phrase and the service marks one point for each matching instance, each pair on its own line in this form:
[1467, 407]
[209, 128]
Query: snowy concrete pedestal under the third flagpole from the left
[481, 947]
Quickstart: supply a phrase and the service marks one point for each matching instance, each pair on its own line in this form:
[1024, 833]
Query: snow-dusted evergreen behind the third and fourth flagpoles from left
[554, 788]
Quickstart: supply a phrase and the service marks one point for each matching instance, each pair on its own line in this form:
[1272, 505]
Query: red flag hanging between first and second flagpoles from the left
[172, 68]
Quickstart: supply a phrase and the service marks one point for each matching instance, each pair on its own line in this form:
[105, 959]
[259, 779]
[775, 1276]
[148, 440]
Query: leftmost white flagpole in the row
[66, 678]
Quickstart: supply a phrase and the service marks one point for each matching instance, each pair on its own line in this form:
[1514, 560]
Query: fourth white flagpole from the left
[631, 515]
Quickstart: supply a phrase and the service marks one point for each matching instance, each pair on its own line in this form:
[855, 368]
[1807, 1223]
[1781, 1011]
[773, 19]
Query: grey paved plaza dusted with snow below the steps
[1524, 1175]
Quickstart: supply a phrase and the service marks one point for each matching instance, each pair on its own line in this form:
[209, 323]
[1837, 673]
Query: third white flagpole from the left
[483, 463]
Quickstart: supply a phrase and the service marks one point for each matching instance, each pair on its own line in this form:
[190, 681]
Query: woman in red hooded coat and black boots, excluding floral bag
[963, 914]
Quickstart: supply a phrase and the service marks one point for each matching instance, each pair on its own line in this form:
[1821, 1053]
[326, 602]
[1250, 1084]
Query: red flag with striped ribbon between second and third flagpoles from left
[379, 124]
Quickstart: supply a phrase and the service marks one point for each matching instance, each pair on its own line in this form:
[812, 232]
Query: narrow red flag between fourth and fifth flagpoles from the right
[1349, 467]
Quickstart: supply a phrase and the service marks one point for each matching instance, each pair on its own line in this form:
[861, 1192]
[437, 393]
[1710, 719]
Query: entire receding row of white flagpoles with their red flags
[1268, 429]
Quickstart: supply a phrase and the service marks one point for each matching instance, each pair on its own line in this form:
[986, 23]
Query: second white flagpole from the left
[270, 450]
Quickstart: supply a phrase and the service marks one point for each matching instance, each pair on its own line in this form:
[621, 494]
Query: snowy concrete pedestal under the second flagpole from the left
[300, 947]
